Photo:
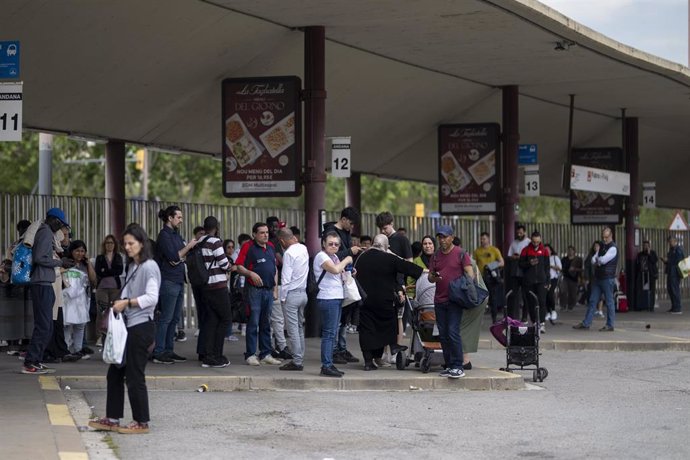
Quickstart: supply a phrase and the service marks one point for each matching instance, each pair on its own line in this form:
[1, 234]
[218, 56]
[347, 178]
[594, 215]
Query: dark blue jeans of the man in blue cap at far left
[42, 298]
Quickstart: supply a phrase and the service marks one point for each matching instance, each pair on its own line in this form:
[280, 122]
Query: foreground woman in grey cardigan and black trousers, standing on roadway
[137, 303]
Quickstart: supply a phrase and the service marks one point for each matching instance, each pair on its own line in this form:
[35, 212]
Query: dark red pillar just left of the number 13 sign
[509, 168]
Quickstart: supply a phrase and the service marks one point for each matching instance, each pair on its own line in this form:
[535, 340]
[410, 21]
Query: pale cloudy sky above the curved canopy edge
[659, 27]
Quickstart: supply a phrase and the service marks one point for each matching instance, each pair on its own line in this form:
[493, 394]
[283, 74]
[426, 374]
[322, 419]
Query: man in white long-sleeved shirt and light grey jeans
[293, 295]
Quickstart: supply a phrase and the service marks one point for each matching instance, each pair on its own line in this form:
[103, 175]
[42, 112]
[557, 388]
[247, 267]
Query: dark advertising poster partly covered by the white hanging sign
[595, 207]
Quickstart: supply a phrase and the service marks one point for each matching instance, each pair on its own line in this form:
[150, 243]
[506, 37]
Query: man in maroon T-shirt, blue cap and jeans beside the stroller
[447, 264]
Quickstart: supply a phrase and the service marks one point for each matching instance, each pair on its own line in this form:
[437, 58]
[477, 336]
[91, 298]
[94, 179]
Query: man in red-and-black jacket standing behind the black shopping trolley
[534, 261]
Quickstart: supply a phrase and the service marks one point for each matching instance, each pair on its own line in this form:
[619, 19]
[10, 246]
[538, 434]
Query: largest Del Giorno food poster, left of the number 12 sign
[262, 131]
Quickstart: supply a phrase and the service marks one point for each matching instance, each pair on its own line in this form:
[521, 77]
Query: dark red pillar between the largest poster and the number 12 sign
[315, 149]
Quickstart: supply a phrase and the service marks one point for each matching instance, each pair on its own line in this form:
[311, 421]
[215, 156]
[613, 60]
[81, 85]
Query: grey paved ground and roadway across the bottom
[601, 402]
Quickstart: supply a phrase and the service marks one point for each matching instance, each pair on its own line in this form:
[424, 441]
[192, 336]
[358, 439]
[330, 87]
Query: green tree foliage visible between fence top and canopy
[79, 170]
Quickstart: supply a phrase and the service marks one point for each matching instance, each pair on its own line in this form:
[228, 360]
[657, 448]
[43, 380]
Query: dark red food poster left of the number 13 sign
[467, 171]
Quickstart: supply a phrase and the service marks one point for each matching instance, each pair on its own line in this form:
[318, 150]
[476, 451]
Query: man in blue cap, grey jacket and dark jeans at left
[42, 239]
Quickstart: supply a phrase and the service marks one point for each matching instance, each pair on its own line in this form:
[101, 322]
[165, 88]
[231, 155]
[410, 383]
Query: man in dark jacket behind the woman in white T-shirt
[343, 226]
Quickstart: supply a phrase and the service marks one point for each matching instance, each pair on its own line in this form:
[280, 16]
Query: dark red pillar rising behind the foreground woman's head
[115, 185]
